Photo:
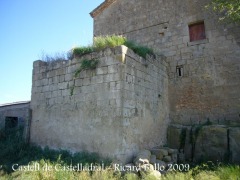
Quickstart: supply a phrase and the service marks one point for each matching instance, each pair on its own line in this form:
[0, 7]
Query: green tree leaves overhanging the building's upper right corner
[229, 10]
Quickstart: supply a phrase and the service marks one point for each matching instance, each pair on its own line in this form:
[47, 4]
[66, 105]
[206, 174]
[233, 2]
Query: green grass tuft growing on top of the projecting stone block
[102, 42]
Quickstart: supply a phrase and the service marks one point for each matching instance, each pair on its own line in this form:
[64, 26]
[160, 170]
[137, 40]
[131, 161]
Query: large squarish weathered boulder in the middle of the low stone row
[211, 143]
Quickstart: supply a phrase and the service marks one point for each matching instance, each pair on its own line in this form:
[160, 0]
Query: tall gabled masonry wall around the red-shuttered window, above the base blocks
[209, 88]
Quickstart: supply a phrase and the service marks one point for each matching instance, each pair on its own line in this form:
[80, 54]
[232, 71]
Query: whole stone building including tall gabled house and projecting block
[128, 103]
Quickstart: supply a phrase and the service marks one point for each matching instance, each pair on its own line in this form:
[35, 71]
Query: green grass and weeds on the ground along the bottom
[15, 151]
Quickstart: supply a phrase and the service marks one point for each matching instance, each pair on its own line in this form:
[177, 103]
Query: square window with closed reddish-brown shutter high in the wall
[197, 31]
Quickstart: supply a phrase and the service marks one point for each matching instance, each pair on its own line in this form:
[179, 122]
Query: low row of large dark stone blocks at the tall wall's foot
[206, 142]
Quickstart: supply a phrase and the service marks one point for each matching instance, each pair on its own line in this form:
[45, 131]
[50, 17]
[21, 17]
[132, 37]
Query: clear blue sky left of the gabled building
[30, 27]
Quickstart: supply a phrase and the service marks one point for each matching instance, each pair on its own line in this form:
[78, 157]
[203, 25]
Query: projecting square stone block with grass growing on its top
[115, 110]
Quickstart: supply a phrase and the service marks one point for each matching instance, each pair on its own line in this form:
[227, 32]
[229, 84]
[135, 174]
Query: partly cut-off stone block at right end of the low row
[234, 143]
